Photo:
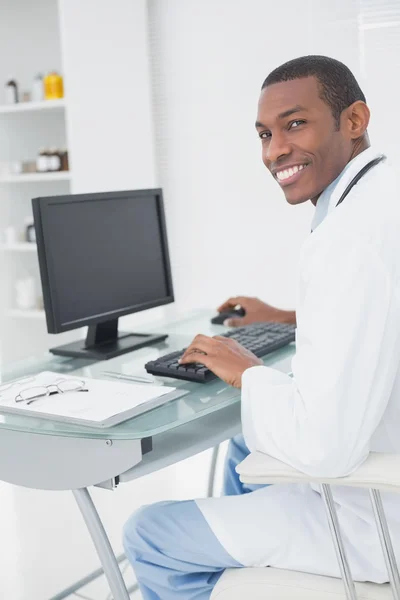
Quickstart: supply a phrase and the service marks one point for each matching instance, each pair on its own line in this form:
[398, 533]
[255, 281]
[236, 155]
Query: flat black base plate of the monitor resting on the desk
[125, 342]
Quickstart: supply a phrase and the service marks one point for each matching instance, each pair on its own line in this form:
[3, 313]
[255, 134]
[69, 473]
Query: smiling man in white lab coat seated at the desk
[344, 398]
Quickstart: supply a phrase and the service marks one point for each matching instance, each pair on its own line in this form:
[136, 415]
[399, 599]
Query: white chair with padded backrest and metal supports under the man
[379, 472]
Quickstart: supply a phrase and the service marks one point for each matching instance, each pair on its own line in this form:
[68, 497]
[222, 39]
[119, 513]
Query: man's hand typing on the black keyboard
[223, 356]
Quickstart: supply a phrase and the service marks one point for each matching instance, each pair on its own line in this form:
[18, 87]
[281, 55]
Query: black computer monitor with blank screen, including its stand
[102, 256]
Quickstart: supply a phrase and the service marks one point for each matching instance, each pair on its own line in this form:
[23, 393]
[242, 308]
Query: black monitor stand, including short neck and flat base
[103, 342]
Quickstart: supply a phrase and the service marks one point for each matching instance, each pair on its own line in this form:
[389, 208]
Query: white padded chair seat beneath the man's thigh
[278, 584]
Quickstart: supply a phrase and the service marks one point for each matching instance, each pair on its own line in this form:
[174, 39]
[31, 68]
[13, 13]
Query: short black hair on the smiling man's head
[339, 87]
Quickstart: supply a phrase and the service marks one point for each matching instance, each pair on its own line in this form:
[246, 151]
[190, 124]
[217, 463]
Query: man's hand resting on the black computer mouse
[256, 312]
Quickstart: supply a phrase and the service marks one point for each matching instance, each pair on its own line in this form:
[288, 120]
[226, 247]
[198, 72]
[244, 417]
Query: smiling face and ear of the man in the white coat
[303, 145]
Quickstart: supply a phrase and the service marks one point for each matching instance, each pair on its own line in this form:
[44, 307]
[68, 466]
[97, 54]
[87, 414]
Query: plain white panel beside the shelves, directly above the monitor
[109, 122]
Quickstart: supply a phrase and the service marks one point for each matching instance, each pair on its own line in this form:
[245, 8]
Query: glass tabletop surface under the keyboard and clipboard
[201, 400]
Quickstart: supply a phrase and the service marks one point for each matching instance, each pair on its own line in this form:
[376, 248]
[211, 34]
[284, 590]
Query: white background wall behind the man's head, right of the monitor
[231, 231]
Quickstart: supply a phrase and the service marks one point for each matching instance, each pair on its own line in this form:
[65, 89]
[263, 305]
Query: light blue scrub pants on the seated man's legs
[171, 547]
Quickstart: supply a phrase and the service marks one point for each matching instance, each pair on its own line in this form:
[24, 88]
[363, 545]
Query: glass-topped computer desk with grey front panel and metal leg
[68, 457]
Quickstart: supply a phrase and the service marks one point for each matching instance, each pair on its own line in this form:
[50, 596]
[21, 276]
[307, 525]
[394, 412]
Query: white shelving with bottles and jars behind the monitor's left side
[25, 128]
